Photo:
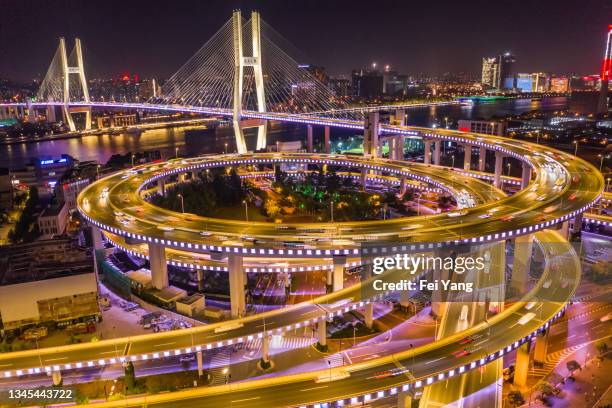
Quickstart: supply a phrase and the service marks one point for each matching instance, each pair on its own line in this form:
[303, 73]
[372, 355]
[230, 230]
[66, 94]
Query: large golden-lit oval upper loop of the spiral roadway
[564, 186]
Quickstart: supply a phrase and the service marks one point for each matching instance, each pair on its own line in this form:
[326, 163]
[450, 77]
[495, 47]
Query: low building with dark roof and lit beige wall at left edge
[50, 282]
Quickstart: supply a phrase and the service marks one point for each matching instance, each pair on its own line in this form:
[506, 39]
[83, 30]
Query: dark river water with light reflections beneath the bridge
[192, 141]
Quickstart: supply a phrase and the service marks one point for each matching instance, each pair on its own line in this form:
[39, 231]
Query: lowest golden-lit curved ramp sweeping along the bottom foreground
[427, 363]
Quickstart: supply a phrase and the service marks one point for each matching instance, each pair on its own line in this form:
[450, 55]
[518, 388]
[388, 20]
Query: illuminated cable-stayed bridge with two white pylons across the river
[246, 71]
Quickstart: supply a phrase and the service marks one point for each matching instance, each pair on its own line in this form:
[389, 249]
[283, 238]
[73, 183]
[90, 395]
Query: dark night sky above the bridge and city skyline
[154, 38]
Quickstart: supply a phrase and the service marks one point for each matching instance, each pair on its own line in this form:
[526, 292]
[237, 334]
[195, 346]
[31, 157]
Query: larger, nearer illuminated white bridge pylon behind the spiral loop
[240, 62]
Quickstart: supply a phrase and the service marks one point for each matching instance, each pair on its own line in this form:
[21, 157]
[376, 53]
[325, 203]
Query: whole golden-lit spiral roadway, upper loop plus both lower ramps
[580, 187]
